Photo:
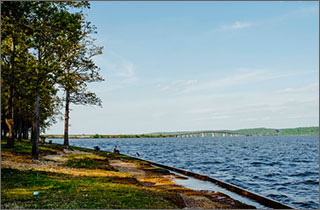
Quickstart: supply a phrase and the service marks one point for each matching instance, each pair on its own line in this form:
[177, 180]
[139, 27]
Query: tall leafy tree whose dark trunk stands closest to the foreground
[44, 23]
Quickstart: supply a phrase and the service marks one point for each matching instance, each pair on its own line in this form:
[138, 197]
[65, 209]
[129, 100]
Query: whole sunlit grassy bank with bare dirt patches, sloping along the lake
[84, 178]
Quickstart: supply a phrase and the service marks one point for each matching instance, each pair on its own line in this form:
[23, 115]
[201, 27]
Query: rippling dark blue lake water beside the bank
[283, 168]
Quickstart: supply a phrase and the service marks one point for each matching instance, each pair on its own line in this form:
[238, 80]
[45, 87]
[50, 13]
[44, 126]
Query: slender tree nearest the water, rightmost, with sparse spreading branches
[77, 51]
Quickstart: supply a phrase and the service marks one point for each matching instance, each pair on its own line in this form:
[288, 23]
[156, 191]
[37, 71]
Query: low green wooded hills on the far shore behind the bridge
[256, 131]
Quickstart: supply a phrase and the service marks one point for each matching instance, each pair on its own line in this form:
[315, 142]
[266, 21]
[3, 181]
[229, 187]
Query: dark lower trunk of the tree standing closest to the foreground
[36, 119]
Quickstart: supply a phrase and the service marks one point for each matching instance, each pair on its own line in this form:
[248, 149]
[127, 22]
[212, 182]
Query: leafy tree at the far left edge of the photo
[14, 46]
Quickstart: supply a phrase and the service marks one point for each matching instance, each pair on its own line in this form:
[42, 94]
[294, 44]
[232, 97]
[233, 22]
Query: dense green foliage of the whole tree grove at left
[43, 44]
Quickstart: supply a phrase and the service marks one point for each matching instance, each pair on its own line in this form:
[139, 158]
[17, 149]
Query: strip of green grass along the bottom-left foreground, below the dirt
[70, 192]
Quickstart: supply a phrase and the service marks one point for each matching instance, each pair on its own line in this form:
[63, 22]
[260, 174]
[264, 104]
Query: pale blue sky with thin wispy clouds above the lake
[186, 66]
